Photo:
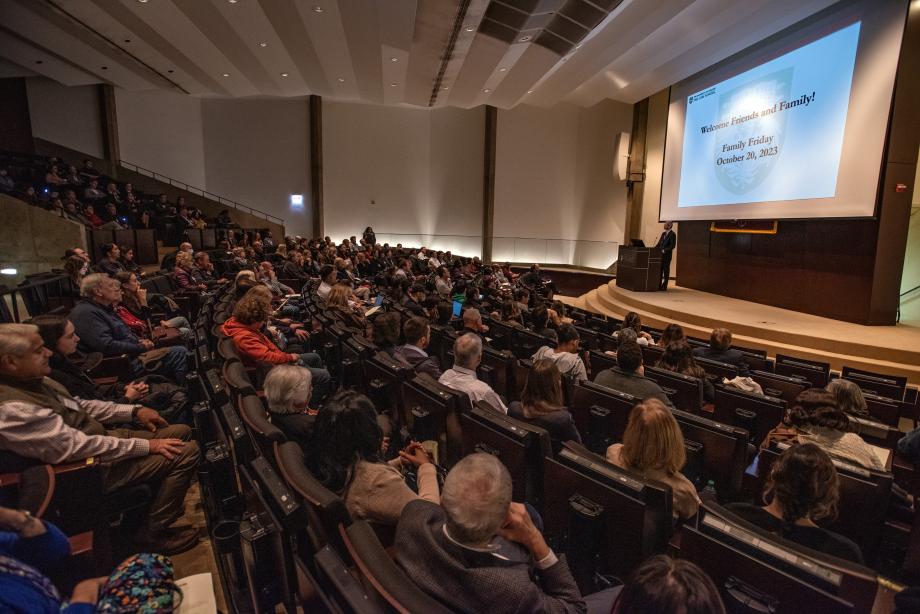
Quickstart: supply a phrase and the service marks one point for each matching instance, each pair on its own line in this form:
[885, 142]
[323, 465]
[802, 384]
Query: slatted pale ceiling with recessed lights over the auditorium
[459, 53]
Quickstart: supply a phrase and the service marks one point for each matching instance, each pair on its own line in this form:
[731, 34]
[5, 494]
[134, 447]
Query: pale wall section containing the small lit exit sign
[256, 152]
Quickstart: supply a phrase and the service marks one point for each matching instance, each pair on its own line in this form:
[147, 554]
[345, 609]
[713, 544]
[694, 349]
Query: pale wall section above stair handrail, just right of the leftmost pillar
[162, 131]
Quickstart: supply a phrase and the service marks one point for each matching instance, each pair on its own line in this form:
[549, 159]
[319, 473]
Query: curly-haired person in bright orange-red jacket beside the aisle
[245, 327]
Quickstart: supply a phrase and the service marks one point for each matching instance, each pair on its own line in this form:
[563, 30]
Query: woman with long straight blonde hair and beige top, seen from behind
[653, 446]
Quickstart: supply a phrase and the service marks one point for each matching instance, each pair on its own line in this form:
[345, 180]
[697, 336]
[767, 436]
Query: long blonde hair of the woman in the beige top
[653, 440]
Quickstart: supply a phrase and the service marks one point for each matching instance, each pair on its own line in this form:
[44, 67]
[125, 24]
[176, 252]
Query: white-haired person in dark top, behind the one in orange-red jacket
[287, 391]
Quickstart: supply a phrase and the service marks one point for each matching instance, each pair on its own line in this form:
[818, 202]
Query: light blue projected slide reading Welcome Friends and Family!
[772, 133]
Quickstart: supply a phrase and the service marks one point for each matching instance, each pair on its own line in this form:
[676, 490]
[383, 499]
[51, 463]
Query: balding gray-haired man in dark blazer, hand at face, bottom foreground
[478, 551]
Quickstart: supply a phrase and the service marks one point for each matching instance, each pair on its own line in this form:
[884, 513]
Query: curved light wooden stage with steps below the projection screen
[886, 349]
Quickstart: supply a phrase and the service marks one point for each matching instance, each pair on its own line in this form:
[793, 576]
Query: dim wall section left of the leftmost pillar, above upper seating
[68, 116]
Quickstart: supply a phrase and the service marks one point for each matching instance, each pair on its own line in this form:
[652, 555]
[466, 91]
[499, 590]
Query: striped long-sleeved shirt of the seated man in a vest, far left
[33, 431]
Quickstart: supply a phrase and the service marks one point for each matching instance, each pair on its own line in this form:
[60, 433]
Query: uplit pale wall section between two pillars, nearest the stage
[554, 184]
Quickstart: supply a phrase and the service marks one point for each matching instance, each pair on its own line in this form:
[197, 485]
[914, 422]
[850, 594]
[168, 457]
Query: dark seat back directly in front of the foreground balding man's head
[520, 446]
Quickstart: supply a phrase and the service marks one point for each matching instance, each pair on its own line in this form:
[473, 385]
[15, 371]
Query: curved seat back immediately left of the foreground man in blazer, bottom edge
[382, 577]
